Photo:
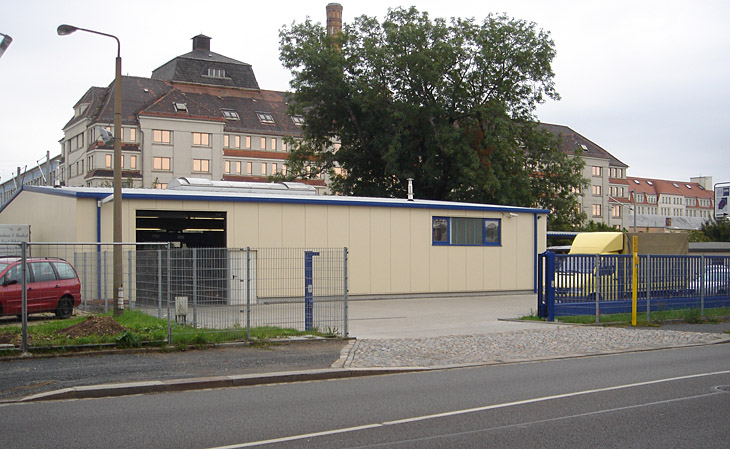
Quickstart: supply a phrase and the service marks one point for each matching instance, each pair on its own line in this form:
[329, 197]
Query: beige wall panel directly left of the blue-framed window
[420, 251]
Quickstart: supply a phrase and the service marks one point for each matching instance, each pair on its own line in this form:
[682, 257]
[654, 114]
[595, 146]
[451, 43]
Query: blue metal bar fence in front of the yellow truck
[602, 284]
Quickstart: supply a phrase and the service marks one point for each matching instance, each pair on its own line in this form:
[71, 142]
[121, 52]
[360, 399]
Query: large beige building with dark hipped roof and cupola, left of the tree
[200, 114]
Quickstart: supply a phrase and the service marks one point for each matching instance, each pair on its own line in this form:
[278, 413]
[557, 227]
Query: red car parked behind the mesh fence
[52, 283]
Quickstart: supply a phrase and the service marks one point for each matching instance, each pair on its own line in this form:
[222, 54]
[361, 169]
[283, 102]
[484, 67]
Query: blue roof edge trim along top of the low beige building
[311, 200]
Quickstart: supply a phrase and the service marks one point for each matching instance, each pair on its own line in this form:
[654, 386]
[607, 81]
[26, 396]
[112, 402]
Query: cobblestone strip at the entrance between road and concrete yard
[515, 346]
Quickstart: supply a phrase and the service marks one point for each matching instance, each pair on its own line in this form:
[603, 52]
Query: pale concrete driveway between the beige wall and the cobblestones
[433, 317]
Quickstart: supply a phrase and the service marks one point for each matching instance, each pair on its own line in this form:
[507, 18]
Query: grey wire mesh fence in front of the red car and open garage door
[245, 291]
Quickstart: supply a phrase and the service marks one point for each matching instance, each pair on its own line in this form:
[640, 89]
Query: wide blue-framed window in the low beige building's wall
[462, 231]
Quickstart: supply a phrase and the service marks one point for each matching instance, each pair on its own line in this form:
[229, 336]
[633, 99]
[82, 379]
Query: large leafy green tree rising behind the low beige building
[448, 103]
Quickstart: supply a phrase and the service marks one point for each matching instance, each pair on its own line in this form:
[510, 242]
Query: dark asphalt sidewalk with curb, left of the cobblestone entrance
[20, 377]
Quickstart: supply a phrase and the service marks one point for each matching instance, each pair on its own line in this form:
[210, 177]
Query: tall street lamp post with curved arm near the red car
[64, 30]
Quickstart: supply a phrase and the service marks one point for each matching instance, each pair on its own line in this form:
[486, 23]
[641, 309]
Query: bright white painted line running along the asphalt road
[465, 411]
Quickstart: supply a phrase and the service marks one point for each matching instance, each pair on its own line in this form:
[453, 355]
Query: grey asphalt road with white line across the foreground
[669, 398]
